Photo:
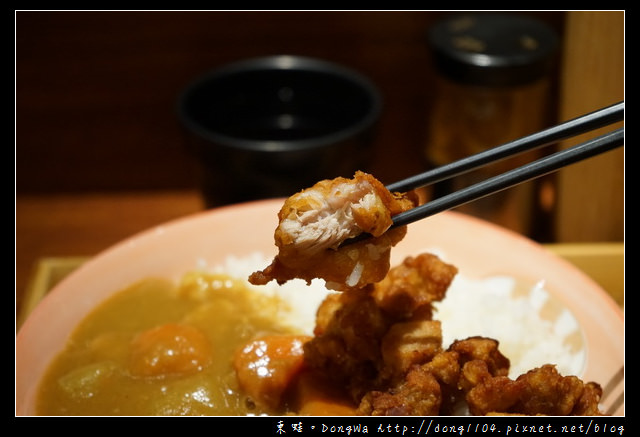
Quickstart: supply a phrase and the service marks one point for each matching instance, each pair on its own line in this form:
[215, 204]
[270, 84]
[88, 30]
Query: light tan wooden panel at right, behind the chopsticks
[590, 203]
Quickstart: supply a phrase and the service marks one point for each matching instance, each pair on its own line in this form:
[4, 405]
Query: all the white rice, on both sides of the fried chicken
[495, 307]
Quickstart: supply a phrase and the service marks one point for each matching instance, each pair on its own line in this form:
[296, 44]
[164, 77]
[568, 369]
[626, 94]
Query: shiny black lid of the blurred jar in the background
[493, 48]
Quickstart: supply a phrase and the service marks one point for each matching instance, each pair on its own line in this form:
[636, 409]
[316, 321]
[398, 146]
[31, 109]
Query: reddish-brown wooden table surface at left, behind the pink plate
[82, 225]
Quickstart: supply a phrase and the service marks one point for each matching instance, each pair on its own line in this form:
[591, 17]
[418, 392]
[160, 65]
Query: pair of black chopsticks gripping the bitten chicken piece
[535, 169]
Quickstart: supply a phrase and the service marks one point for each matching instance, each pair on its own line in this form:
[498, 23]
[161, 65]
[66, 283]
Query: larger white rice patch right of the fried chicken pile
[492, 308]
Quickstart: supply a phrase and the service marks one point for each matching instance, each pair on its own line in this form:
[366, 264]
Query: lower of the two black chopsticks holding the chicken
[513, 177]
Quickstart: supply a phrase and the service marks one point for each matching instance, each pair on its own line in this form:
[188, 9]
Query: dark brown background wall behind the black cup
[96, 91]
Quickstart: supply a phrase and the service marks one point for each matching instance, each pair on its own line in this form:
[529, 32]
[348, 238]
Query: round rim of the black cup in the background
[282, 62]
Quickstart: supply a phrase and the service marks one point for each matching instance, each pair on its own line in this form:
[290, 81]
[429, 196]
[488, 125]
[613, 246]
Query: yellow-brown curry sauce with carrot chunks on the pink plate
[160, 348]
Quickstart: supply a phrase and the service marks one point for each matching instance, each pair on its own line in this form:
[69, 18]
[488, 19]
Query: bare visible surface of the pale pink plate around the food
[477, 248]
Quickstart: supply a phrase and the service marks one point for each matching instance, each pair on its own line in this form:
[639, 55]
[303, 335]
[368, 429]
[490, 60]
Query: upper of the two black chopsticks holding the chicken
[585, 123]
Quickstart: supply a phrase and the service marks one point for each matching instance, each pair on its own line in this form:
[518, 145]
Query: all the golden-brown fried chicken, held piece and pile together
[376, 339]
